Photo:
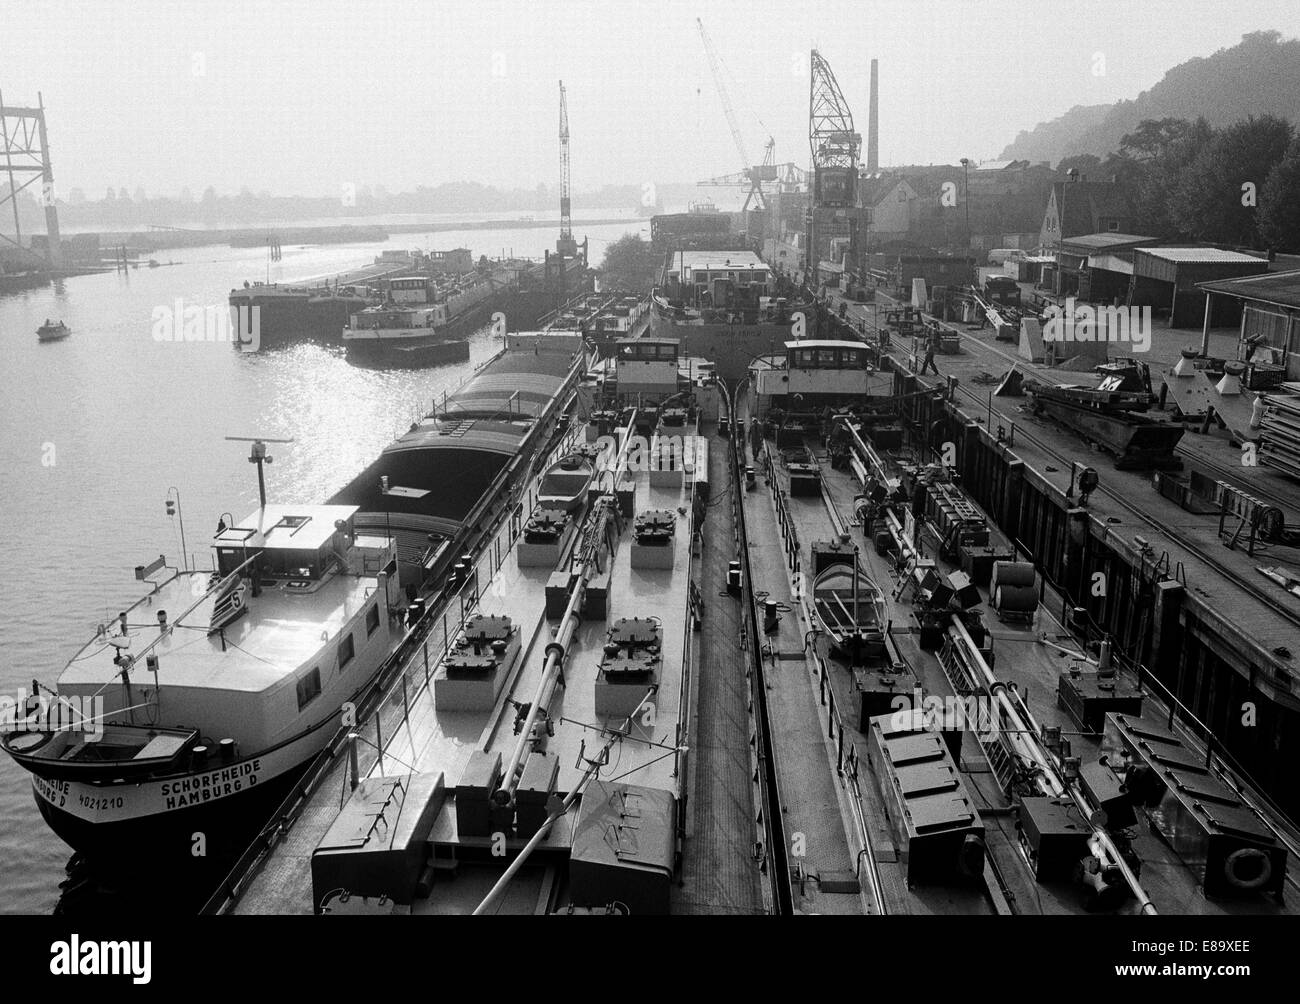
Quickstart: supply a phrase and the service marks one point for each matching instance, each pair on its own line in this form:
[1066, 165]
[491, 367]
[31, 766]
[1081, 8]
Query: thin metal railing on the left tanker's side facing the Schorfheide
[385, 706]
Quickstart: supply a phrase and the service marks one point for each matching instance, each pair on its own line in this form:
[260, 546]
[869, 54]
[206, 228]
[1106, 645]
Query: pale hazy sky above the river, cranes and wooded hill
[298, 98]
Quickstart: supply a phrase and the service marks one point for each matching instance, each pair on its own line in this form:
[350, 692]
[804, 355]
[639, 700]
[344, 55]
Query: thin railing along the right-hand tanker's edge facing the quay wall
[1198, 733]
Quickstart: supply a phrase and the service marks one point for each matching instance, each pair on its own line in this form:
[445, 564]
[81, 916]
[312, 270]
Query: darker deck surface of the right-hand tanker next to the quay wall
[1021, 659]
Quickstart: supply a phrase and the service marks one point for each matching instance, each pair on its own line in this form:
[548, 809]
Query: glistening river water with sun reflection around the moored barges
[97, 429]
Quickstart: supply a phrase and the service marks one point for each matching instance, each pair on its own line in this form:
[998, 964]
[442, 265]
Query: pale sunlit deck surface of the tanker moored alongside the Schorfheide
[423, 739]
